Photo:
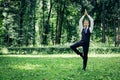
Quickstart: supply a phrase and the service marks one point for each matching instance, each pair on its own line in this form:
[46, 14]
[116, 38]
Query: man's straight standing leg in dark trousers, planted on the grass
[85, 58]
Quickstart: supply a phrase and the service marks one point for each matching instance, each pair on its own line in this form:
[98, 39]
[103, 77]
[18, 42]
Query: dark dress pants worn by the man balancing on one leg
[84, 55]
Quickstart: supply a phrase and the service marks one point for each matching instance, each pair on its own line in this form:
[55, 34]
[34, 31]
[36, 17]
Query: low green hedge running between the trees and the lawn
[58, 50]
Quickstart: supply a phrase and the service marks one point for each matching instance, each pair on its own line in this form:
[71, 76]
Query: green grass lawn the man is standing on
[58, 68]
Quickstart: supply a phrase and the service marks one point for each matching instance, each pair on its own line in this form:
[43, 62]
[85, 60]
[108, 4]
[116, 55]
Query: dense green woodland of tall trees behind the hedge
[51, 22]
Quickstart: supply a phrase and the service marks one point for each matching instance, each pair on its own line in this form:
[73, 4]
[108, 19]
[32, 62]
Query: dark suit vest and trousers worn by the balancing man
[84, 42]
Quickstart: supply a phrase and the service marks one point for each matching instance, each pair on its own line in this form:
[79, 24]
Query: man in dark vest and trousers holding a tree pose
[85, 40]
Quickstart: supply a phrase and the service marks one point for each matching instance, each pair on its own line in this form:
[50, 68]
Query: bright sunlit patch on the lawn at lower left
[27, 67]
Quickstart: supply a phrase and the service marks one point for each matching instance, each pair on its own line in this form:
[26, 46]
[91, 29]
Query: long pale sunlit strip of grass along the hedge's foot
[62, 55]
